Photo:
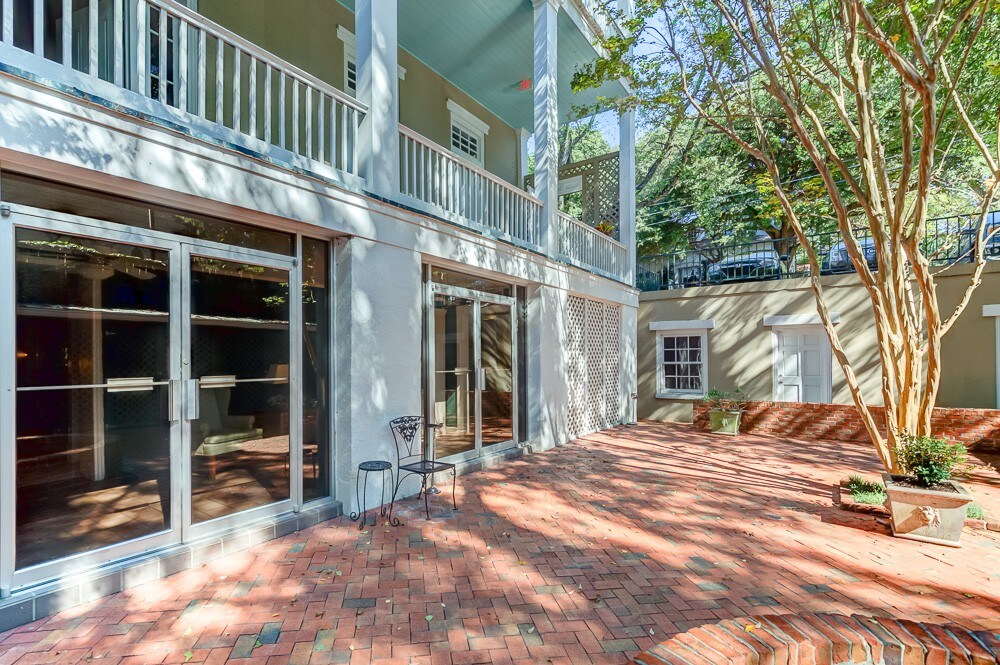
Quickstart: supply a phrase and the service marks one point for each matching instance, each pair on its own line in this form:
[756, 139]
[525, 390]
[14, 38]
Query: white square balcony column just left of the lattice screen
[547, 119]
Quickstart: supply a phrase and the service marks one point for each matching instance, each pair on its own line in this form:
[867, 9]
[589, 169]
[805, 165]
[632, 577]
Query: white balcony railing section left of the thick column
[192, 66]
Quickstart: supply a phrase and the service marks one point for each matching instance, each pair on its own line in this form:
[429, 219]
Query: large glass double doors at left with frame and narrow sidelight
[150, 391]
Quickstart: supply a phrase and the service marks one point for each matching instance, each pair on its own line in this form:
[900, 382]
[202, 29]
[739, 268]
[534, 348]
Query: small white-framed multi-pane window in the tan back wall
[682, 358]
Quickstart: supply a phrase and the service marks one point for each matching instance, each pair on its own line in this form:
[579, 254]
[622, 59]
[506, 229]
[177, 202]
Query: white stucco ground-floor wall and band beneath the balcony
[378, 294]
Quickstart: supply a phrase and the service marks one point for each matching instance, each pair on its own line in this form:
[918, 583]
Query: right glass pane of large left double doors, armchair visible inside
[239, 365]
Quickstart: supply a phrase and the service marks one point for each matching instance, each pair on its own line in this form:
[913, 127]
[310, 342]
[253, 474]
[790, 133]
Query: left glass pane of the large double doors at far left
[93, 423]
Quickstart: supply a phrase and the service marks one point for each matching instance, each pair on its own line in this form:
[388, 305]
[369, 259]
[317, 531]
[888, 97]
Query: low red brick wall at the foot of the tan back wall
[976, 428]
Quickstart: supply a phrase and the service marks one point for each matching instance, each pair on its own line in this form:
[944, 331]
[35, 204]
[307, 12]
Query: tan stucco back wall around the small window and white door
[739, 347]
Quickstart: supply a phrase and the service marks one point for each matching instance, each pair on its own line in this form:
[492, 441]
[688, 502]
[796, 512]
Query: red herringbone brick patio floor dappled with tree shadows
[588, 553]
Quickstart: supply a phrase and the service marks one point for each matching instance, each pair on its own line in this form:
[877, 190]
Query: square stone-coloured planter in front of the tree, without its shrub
[930, 516]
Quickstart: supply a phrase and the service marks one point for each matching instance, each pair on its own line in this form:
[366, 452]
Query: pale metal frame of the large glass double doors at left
[179, 249]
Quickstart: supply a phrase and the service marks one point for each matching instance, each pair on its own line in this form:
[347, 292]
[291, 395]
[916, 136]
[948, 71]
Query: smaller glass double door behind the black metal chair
[470, 358]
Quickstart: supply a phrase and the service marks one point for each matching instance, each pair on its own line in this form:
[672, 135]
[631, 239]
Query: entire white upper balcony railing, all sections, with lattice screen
[165, 63]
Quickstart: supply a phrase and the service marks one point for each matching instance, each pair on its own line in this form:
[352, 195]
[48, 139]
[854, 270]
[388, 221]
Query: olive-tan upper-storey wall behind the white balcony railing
[306, 36]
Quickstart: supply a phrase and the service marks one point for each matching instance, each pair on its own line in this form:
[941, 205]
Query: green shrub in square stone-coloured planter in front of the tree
[924, 502]
